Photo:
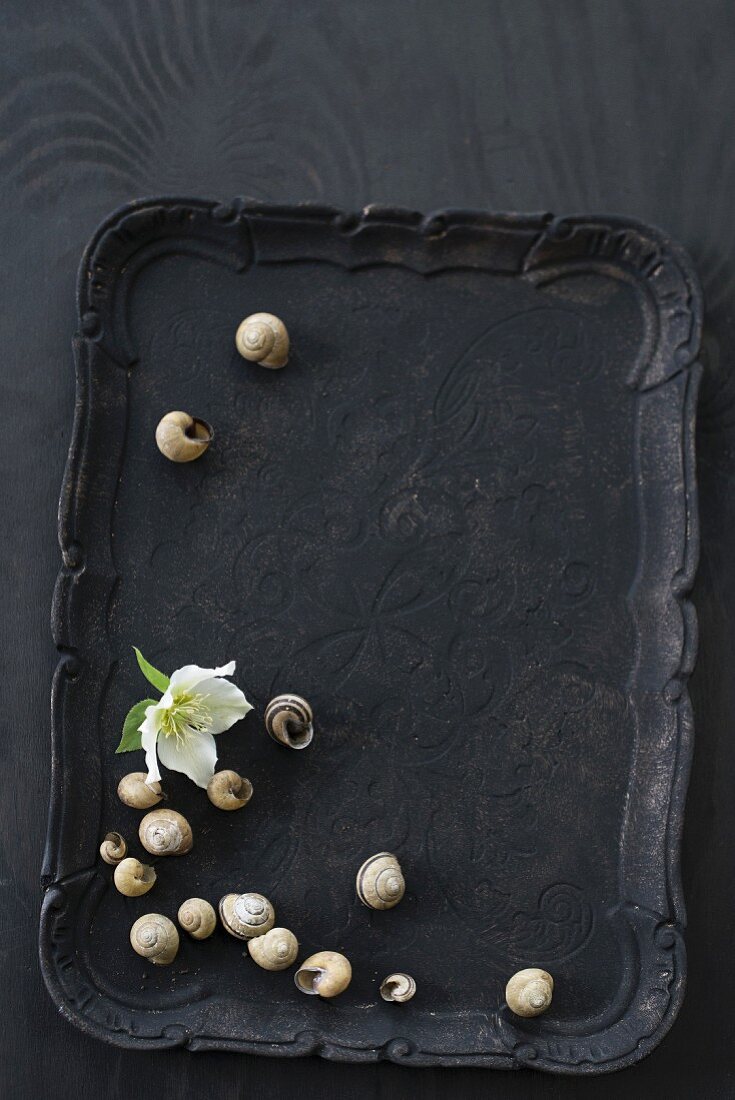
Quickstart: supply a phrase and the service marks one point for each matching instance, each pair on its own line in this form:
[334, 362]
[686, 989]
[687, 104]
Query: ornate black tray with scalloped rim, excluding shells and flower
[463, 523]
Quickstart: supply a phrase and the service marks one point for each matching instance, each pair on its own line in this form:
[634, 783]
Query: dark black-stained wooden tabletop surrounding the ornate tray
[604, 106]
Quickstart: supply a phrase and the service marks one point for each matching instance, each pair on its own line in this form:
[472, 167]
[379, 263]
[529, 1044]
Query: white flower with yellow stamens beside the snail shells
[198, 705]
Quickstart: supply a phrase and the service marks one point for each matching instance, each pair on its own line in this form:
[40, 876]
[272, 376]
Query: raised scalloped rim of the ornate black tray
[530, 247]
